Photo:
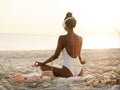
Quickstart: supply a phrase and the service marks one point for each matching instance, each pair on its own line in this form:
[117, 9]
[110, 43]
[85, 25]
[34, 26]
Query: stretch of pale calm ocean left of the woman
[27, 42]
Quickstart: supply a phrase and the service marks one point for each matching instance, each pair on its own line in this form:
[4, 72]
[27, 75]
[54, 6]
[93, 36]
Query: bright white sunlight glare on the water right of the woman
[99, 42]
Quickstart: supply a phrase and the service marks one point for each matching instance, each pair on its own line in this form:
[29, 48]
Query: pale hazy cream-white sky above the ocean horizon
[94, 17]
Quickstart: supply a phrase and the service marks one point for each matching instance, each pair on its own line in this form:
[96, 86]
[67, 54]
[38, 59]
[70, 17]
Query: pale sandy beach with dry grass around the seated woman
[101, 72]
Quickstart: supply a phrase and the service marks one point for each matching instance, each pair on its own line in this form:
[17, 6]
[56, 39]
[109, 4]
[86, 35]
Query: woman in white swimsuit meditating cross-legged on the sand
[70, 45]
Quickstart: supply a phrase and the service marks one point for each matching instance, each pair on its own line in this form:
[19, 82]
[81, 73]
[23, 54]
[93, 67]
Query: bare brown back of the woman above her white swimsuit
[73, 44]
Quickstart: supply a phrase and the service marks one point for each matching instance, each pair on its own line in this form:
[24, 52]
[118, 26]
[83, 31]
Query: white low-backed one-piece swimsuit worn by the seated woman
[73, 64]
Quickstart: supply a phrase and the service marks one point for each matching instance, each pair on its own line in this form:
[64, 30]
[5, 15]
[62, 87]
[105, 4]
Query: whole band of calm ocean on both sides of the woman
[49, 42]
